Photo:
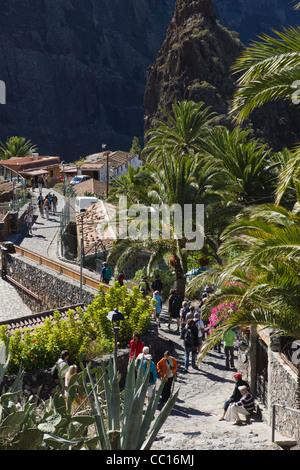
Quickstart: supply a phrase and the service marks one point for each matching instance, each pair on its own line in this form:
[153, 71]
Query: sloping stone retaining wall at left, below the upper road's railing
[54, 290]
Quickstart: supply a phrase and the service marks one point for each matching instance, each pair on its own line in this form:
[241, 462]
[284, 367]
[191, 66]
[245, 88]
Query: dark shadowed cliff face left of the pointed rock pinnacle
[75, 70]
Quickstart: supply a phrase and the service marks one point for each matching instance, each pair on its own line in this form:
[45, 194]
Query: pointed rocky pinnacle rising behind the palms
[194, 62]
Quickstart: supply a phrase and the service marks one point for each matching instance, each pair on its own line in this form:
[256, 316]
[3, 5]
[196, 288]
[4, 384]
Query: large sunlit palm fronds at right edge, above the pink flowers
[263, 277]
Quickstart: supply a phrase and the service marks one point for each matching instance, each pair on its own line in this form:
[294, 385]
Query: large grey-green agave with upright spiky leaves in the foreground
[123, 425]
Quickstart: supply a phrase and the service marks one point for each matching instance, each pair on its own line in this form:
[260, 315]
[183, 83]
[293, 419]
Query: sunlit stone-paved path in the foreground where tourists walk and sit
[194, 422]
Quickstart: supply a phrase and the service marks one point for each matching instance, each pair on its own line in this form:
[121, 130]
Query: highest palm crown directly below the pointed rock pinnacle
[179, 132]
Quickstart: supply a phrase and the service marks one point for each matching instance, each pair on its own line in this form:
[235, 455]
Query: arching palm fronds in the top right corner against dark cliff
[269, 69]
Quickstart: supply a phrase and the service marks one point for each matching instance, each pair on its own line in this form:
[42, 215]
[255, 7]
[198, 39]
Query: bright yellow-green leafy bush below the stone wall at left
[81, 331]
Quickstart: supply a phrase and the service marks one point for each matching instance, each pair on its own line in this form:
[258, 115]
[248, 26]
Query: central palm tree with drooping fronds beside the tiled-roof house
[180, 180]
